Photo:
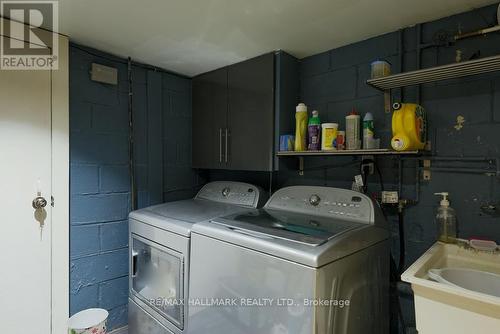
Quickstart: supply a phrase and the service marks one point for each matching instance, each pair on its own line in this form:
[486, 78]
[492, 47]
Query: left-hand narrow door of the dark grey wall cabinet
[209, 119]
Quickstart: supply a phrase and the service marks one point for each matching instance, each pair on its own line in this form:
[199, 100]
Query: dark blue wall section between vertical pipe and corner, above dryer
[162, 137]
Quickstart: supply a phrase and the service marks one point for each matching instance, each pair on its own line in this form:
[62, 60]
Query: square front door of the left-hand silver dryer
[157, 278]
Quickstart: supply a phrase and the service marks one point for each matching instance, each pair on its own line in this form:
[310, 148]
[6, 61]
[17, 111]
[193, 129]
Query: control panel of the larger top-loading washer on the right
[324, 201]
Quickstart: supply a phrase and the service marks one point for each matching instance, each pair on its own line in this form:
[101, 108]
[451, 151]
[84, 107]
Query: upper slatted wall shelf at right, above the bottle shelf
[444, 72]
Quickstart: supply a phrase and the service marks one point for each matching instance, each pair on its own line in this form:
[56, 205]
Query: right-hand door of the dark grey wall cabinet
[251, 114]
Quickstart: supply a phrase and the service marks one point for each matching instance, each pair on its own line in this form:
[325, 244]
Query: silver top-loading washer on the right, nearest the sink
[313, 260]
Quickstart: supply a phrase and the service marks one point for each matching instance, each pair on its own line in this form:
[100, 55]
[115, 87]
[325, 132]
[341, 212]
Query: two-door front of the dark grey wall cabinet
[233, 116]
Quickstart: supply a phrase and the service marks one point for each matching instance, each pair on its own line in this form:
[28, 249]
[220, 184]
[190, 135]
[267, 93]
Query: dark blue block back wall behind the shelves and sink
[334, 81]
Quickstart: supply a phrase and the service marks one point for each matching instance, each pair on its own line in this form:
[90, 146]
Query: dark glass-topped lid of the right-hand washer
[290, 226]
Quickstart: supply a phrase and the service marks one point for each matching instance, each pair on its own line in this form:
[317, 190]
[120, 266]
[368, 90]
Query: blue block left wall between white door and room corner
[100, 174]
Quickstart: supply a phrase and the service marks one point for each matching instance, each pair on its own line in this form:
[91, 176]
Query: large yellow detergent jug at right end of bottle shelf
[409, 127]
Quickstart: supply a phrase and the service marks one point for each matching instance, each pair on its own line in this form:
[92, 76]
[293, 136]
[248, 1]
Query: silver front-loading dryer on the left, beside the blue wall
[159, 240]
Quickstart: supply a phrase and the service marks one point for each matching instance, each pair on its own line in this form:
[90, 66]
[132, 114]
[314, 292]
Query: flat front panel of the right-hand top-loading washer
[237, 290]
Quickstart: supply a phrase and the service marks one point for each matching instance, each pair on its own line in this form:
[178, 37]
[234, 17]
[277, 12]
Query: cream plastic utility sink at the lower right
[457, 289]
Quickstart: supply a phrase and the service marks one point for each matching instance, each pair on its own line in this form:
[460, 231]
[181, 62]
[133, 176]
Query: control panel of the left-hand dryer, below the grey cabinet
[237, 193]
